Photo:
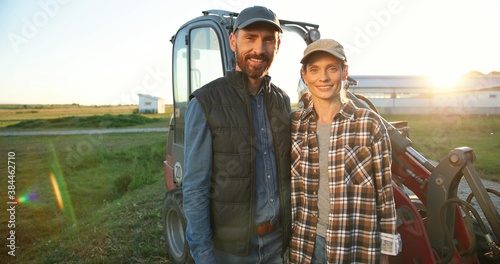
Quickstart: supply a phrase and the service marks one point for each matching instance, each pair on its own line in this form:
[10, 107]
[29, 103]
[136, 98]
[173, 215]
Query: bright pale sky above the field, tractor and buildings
[96, 52]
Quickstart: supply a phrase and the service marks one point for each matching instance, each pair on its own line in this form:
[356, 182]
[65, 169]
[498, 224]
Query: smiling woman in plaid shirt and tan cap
[343, 207]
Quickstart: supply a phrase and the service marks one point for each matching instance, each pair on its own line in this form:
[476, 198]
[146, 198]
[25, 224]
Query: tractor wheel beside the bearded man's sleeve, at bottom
[174, 227]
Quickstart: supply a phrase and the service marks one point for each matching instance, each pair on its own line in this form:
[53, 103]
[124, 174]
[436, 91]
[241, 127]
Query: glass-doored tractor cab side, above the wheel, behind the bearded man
[200, 54]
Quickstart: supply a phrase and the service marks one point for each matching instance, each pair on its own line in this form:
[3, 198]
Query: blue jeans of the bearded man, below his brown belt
[265, 249]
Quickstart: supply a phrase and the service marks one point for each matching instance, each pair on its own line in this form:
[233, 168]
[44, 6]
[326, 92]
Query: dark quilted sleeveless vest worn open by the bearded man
[226, 104]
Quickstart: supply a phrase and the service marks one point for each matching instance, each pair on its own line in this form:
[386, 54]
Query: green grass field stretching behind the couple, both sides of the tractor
[111, 185]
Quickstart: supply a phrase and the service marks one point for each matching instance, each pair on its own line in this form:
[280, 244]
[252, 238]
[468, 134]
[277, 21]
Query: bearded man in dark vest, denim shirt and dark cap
[236, 184]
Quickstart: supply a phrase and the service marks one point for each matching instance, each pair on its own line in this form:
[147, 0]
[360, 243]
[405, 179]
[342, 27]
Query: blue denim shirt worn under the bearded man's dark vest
[198, 172]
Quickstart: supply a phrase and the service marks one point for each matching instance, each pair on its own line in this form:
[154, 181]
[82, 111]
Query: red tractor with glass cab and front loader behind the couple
[435, 225]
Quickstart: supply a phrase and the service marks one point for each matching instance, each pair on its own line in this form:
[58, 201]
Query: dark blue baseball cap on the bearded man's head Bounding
[254, 14]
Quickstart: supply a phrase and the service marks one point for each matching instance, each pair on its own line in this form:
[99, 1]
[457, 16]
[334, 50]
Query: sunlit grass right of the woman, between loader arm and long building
[435, 136]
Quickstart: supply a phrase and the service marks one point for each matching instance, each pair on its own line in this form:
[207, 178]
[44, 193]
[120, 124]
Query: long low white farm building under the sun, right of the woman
[473, 94]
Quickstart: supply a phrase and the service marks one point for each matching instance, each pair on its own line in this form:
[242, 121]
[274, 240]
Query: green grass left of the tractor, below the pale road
[115, 185]
